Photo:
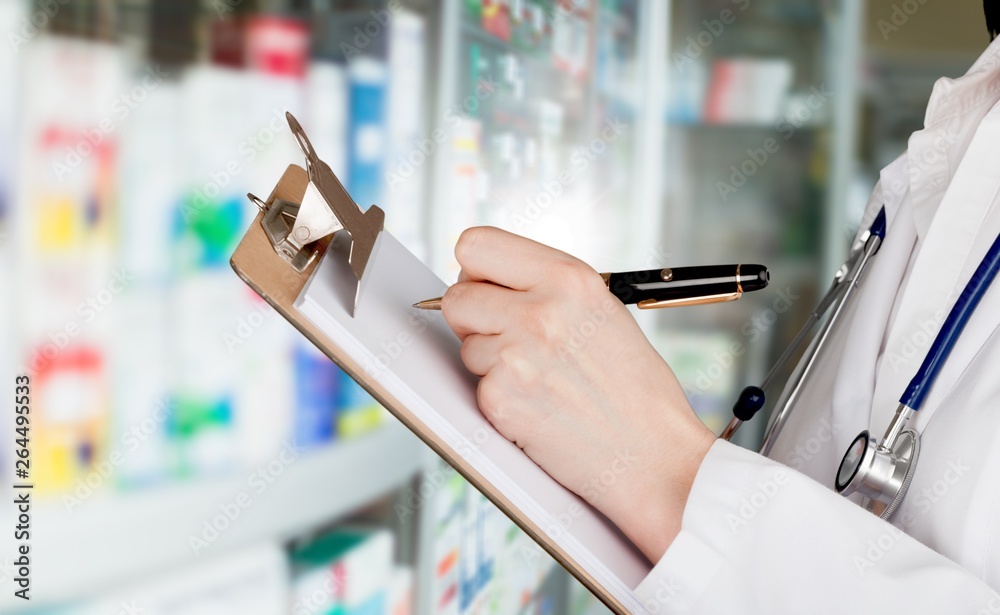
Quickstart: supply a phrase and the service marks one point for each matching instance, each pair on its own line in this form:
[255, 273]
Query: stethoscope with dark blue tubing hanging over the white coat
[880, 470]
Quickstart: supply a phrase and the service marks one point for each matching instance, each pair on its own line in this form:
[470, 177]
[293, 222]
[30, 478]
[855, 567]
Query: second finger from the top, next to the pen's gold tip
[478, 307]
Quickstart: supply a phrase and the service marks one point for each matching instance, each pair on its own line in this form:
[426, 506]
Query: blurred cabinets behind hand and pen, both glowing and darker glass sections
[735, 139]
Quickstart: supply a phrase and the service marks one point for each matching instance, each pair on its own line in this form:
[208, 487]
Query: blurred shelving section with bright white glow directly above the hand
[560, 138]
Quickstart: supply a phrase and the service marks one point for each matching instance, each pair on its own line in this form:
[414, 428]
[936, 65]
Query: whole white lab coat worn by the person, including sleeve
[771, 536]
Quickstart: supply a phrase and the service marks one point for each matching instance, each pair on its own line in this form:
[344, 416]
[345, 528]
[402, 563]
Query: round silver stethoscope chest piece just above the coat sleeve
[882, 474]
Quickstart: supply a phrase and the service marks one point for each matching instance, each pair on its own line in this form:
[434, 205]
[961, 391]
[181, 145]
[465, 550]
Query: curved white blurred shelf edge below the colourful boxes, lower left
[118, 539]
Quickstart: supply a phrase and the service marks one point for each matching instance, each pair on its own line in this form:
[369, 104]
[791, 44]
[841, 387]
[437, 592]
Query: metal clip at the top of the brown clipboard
[295, 229]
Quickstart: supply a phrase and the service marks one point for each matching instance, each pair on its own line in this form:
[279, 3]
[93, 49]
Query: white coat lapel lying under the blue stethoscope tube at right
[950, 201]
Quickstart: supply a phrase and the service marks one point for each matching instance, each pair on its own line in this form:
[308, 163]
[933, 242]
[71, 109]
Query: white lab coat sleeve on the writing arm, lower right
[759, 537]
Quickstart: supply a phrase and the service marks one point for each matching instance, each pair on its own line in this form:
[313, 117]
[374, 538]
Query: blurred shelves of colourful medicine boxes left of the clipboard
[176, 420]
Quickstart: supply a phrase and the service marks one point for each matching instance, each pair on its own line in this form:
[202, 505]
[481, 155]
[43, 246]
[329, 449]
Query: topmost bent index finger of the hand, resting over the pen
[490, 254]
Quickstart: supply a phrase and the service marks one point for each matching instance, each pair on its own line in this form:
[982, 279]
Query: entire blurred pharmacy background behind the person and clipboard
[192, 454]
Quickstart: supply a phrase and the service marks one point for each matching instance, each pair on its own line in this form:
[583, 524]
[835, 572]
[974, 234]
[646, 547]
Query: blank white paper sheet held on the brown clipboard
[415, 356]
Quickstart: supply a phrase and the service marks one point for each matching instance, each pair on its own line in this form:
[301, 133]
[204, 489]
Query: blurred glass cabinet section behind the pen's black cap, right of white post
[758, 159]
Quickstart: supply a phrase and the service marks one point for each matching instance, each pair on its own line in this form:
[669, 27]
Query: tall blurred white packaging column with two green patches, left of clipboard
[209, 219]
